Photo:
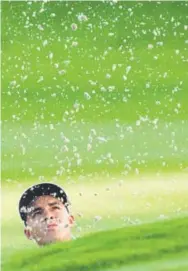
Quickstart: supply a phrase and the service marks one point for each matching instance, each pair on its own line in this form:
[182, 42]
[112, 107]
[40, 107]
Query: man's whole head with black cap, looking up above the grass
[45, 214]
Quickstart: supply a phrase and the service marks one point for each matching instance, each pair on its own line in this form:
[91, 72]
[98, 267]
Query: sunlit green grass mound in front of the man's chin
[111, 249]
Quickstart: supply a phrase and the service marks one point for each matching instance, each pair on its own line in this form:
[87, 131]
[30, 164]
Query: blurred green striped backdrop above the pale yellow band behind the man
[110, 96]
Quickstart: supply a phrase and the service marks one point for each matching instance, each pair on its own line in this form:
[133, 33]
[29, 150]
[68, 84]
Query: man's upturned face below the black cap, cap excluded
[48, 221]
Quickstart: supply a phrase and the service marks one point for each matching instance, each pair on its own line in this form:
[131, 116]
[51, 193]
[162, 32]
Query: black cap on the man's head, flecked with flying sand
[42, 189]
